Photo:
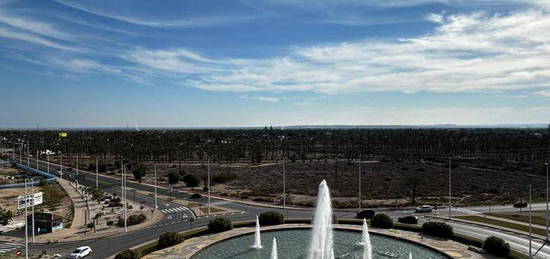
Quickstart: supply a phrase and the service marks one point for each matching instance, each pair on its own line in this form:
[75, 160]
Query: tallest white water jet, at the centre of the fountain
[321, 238]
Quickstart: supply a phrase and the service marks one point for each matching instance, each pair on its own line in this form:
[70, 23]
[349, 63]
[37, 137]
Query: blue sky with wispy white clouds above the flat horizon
[240, 63]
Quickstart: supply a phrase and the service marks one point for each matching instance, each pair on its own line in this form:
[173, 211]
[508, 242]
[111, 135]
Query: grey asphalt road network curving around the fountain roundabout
[105, 247]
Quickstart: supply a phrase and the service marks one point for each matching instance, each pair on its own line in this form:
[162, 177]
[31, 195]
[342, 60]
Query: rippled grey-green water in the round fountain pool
[294, 244]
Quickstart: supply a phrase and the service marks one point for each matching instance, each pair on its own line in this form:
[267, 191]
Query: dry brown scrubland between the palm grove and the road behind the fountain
[385, 182]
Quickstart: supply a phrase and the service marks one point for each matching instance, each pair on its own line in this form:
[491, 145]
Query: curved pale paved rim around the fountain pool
[284, 227]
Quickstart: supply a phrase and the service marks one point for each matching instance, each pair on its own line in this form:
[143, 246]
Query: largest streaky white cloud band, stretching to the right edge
[465, 53]
